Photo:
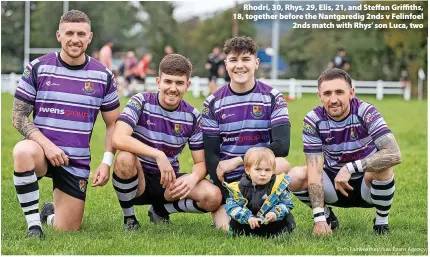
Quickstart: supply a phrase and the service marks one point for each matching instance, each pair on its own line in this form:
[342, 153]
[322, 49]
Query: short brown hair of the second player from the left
[175, 64]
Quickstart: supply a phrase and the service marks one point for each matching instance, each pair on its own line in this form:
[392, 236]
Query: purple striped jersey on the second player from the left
[165, 130]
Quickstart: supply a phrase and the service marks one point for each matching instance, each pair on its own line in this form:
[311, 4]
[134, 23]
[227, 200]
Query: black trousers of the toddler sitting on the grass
[267, 230]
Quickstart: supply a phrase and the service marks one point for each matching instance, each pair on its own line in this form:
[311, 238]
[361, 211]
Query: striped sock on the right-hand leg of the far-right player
[382, 193]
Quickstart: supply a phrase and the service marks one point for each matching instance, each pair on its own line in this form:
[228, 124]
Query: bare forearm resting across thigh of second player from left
[129, 144]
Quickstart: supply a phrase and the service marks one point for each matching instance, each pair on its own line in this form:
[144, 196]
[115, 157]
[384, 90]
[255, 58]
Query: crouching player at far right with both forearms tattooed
[350, 153]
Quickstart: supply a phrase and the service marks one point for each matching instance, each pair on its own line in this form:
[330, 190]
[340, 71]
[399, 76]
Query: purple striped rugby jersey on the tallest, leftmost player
[67, 100]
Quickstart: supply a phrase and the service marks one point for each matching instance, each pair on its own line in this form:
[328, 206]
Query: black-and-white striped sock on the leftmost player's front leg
[27, 190]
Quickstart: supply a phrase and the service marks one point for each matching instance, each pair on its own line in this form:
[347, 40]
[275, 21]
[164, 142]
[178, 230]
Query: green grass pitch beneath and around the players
[102, 233]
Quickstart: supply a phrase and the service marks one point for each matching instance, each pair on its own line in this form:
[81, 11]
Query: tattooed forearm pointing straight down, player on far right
[315, 186]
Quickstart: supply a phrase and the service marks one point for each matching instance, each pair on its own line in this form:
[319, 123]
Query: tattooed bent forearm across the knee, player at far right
[387, 156]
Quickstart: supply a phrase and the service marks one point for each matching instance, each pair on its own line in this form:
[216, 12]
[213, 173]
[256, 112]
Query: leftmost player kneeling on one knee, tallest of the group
[65, 91]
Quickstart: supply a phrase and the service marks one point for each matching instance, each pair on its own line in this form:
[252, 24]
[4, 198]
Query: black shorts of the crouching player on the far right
[355, 197]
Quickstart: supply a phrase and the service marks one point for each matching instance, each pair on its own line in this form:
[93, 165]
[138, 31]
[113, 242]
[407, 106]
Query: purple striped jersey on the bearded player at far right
[350, 139]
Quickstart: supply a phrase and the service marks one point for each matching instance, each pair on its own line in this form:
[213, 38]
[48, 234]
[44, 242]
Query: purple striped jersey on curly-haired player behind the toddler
[243, 120]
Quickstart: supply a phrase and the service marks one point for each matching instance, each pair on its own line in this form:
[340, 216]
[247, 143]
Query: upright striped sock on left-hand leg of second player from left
[126, 191]
